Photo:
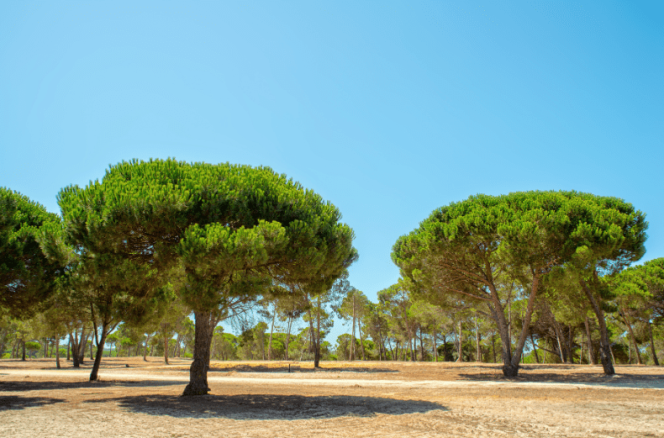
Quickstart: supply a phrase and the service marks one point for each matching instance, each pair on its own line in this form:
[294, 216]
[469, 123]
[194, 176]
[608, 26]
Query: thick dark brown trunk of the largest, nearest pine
[202, 339]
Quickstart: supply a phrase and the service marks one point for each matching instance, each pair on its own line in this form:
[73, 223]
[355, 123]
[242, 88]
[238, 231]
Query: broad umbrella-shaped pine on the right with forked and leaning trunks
[487, 248]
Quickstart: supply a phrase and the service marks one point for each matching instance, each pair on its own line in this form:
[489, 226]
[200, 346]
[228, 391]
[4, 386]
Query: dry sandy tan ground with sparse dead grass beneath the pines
[342, 400]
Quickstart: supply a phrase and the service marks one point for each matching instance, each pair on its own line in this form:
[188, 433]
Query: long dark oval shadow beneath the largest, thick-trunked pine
[269, 407]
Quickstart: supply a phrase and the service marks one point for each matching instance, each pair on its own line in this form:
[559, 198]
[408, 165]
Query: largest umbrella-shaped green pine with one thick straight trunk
[225, 230]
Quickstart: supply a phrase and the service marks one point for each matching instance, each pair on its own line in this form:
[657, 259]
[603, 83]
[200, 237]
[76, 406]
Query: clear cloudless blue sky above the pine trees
[387, 109]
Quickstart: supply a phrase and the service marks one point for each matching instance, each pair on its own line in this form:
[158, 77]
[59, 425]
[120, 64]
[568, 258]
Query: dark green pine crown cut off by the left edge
[27, 276]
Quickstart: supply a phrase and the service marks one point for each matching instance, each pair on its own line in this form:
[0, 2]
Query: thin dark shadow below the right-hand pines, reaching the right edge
[618, 380]
